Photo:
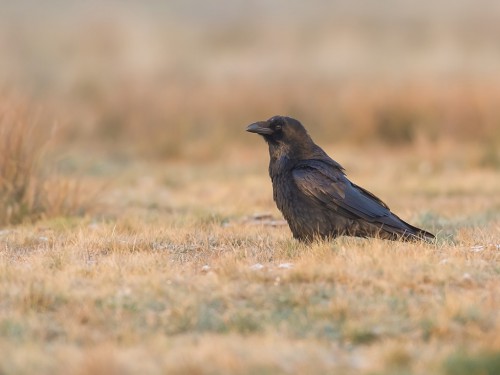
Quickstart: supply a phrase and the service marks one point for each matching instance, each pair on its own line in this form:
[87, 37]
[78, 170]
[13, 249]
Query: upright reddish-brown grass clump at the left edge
[29, 188]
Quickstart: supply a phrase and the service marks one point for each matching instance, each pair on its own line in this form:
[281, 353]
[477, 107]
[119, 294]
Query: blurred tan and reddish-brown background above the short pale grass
[181, 79]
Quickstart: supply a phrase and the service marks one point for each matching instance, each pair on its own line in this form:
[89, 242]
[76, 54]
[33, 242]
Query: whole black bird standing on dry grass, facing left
[314, 194]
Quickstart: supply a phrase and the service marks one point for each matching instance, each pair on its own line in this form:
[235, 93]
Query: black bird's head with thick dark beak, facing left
[284, 135]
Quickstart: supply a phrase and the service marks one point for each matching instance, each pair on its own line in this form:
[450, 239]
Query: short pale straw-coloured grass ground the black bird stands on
[163, 280]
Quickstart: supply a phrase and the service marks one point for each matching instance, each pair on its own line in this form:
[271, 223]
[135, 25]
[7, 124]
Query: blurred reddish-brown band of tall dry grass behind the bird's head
[164, 125]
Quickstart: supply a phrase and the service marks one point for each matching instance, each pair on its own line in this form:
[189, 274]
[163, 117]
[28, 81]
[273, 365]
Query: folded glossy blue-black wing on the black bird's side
[328, 185]
